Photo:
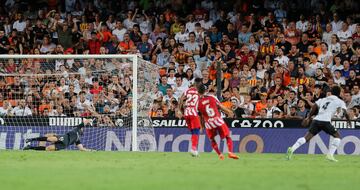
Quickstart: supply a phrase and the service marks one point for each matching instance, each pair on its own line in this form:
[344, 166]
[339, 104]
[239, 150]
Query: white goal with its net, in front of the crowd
[44, 95]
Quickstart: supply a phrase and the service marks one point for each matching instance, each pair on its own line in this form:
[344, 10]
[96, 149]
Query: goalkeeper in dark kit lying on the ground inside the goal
[62, 141]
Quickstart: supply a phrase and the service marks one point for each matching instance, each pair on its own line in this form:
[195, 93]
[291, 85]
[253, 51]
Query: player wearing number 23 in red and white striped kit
[189, 101]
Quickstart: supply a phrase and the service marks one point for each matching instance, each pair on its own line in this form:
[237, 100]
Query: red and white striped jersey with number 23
[191, 102]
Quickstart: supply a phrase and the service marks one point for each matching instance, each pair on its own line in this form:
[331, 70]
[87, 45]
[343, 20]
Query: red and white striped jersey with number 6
[208, 107]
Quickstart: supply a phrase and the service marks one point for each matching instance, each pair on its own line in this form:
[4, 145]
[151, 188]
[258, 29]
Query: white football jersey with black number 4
[327, 107]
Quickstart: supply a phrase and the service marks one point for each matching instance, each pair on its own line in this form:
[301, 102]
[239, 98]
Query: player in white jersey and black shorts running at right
[326, 108]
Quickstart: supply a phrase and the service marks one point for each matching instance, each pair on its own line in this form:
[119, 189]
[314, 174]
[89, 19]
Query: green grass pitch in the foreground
[153, 171]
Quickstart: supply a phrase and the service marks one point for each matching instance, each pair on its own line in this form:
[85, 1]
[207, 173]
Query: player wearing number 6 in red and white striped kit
[209, 107]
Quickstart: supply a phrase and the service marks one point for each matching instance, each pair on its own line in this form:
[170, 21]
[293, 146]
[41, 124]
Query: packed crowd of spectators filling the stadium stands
[277, 57]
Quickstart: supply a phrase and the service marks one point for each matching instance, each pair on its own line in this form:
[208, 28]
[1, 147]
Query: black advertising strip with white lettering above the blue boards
[167, 122]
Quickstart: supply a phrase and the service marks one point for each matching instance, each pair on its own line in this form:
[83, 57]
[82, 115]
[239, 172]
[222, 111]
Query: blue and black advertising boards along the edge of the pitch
[171, 135]
